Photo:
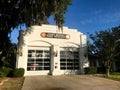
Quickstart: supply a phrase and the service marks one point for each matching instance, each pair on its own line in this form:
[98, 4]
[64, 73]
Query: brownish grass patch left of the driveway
[12, 84]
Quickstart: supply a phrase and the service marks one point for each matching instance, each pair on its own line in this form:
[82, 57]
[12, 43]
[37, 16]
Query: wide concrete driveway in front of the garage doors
[69, 82]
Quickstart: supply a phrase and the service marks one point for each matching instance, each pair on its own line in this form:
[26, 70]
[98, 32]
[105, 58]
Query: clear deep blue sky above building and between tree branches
[88, 16]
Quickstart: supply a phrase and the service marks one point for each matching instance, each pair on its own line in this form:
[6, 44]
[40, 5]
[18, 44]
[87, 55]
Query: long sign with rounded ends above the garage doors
[54, 35]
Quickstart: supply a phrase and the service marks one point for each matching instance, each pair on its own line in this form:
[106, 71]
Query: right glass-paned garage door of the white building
[69, 58]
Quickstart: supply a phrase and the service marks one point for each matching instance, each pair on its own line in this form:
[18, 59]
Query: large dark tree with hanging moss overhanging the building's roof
[28, 12]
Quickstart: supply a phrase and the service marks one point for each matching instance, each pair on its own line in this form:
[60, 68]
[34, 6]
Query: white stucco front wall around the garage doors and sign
[32, 38]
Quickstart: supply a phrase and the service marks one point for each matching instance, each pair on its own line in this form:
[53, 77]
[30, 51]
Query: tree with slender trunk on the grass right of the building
[107, 46]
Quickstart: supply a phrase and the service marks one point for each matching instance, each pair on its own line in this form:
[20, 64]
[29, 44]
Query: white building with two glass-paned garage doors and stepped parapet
[45, 50]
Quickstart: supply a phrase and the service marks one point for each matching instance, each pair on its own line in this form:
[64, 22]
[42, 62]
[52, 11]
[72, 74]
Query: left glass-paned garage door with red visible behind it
[38, 59]
